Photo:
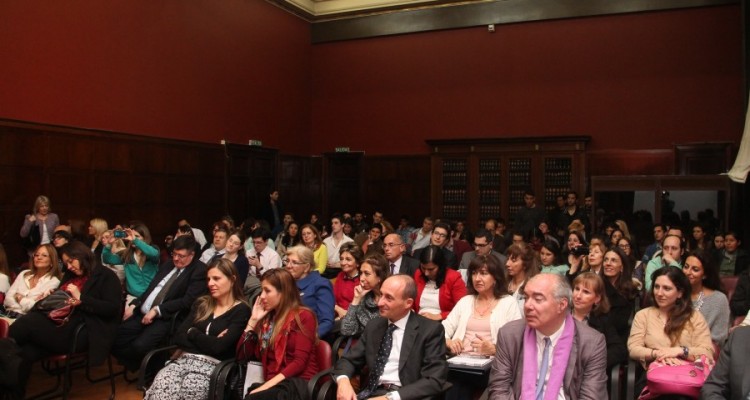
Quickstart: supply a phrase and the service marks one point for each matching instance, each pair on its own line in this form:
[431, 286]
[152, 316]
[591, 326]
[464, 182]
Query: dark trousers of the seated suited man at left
[134, 339]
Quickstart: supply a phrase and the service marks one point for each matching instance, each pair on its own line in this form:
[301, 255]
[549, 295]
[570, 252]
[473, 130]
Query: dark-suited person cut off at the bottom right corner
[730, 378]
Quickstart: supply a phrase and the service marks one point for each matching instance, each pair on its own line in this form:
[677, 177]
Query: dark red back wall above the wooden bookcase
[636, 81]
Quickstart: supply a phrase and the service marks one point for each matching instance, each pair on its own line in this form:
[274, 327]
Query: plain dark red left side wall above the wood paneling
[199, 70]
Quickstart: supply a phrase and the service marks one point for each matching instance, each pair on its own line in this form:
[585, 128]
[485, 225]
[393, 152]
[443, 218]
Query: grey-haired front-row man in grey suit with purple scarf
[549, 354]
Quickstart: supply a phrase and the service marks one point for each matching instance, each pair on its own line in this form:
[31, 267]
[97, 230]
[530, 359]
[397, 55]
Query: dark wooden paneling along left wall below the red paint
[89, 173]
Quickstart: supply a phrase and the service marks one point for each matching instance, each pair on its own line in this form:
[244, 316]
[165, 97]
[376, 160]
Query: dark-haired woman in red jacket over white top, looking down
[438, 287]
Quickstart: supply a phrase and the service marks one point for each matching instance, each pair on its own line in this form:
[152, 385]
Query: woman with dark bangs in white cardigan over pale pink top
[471, 327]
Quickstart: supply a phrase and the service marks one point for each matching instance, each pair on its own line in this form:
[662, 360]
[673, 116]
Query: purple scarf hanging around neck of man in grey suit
[560, 358]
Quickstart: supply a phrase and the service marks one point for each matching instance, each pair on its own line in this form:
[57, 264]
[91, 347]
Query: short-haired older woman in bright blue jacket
[316, 291]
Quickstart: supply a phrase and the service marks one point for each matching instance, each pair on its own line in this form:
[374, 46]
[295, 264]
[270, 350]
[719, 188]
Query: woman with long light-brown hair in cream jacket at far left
[33, 283]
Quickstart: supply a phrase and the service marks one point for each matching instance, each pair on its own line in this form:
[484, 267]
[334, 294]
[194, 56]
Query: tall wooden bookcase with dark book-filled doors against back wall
[478, 179]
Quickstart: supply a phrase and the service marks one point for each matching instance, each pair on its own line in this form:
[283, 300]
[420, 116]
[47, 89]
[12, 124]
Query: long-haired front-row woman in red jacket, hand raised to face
[281, 334]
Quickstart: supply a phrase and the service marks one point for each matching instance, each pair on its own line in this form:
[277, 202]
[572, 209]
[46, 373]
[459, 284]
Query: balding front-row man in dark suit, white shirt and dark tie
[405, 352]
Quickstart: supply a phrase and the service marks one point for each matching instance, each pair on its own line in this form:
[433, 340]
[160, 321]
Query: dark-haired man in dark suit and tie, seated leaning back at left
[173, 290]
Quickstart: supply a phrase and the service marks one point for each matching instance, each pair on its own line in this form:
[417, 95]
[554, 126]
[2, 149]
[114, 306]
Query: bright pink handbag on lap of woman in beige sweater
[685, 380]
